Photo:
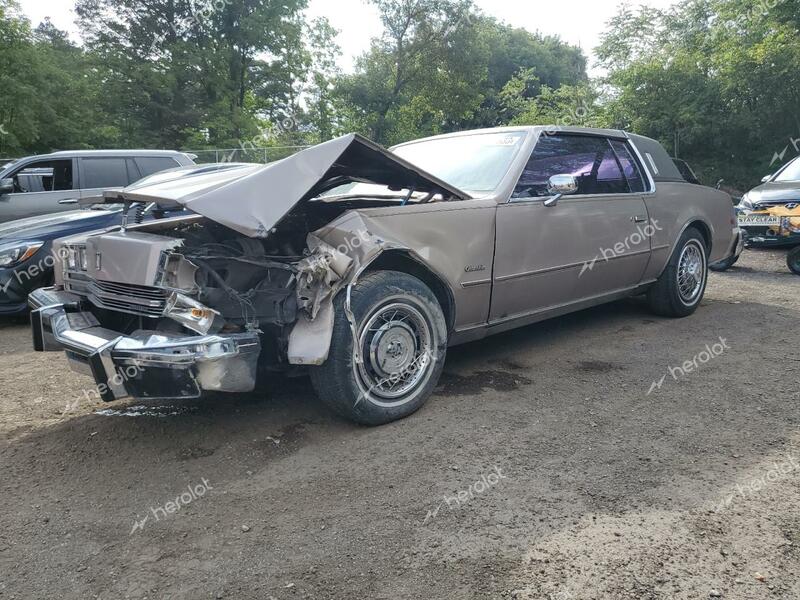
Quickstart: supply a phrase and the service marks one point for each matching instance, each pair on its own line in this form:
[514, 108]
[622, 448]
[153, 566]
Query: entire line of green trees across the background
[715, 80]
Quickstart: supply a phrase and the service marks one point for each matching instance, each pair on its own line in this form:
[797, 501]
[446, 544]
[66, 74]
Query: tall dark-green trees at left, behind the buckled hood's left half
[180, 67]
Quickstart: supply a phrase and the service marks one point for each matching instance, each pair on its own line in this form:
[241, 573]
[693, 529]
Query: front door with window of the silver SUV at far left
[40, 187]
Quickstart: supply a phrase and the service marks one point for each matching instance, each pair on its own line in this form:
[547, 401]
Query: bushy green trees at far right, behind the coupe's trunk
[715, 80]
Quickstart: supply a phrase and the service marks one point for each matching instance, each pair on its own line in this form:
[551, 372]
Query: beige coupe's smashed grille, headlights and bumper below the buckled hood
[197, 311]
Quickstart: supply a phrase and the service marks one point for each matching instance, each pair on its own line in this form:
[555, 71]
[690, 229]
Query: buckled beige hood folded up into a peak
[255, 199]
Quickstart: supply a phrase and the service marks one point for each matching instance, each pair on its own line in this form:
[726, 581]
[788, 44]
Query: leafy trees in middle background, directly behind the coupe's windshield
[442, 66]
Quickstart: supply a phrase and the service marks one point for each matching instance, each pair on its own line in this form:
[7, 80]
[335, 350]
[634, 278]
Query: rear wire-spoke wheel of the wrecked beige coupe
[682, 285]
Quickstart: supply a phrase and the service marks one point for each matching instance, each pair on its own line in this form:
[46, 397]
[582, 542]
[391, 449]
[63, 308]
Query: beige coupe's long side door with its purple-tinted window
[583, 247]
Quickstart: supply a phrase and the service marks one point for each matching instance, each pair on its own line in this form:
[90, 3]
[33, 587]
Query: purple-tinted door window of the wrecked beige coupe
[591, 160]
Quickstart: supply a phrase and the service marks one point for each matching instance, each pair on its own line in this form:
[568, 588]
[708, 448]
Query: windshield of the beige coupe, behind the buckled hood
[474, 163]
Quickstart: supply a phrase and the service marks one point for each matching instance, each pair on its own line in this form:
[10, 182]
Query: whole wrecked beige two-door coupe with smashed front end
[363, 265]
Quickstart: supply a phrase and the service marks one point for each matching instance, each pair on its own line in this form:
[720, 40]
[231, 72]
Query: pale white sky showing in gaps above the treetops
[579, 22]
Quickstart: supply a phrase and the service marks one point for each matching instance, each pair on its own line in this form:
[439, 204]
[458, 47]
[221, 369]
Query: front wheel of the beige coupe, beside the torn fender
[397, 359]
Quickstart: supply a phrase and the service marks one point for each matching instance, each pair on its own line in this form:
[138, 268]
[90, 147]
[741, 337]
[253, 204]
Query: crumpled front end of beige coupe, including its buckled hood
[176, 307]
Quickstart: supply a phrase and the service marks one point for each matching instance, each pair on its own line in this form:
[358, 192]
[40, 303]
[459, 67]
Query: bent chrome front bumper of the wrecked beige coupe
[146, 364]
